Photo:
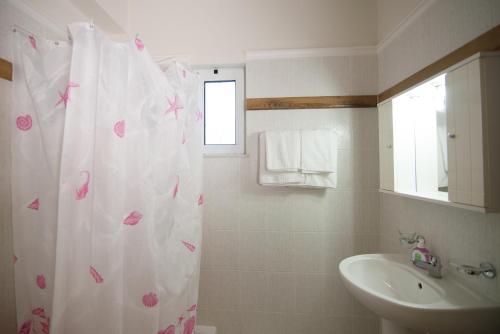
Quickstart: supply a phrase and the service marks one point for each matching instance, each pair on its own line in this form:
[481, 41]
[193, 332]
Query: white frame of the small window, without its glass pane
[225, 74]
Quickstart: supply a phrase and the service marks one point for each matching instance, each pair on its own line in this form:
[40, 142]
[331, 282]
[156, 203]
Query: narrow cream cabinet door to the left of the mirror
[386, 158]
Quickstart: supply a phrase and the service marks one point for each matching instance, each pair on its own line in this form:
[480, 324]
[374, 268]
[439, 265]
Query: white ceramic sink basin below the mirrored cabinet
[394, 289]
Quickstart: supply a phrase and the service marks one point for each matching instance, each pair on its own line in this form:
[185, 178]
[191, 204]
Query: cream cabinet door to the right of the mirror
[465, 138]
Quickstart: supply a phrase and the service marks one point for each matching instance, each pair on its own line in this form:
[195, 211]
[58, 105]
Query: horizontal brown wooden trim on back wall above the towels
[312, 102]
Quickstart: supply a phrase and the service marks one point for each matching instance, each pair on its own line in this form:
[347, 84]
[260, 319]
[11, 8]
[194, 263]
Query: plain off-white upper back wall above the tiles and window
[220, 31]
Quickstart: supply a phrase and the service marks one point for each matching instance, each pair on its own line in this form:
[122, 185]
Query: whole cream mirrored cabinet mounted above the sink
[440, 140]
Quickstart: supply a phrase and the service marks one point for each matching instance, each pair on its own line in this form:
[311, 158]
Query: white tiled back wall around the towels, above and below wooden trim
[270, 256]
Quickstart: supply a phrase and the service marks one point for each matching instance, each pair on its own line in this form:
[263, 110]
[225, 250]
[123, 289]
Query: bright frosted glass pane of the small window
[220, 112]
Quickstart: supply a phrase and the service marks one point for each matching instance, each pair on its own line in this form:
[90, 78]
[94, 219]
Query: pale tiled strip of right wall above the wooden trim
[443, 27]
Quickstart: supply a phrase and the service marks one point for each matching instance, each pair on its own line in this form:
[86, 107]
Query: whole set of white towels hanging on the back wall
[299, 158]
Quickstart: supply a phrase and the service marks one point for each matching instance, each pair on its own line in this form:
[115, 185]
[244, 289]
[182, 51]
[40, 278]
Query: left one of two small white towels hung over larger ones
[282, 150]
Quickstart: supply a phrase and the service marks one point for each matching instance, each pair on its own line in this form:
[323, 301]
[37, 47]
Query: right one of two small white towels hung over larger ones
[319, 151]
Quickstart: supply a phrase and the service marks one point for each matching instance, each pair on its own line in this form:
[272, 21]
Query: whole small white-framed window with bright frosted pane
[223, 101]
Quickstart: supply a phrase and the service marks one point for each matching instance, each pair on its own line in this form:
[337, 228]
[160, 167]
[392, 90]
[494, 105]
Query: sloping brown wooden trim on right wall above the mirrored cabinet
[488, 41]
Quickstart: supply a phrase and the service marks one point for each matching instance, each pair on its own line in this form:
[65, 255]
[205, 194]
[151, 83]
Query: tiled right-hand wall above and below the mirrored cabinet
[453, 234]
